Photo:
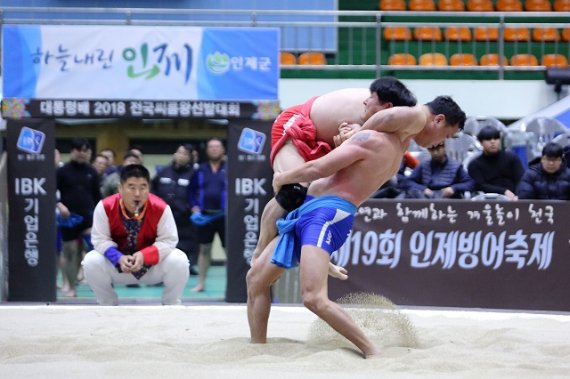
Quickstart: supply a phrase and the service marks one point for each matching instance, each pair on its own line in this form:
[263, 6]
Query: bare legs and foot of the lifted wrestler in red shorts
[287, 158]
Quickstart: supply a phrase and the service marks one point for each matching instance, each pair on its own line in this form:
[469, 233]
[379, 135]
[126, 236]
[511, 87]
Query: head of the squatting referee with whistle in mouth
[134, 187]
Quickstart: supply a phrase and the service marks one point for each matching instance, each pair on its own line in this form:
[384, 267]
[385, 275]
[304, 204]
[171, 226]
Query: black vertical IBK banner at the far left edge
[31, 199]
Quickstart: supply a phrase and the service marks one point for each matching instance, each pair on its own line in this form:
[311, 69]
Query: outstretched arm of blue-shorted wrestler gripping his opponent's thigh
[343, 156]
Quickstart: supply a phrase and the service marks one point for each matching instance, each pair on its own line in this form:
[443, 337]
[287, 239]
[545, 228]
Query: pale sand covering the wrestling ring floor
[212, 342]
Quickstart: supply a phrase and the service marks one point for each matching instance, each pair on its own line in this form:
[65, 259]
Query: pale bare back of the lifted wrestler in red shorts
[333, 108]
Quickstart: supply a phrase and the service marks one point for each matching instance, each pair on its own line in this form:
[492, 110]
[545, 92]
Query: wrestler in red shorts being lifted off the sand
[309, 131]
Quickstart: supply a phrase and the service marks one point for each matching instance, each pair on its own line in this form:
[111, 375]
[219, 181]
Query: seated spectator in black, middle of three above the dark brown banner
[495, 170]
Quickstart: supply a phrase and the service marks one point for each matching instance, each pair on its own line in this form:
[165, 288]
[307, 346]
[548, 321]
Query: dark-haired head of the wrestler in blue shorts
[446, 119]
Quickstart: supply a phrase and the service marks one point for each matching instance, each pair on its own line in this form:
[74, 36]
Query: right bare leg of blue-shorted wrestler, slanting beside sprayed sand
[314, 290]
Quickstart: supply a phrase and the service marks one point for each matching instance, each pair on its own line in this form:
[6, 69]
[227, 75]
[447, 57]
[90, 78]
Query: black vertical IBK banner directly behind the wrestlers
[249, 189]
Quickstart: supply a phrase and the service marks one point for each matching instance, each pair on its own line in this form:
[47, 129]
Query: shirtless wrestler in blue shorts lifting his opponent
[340, 181]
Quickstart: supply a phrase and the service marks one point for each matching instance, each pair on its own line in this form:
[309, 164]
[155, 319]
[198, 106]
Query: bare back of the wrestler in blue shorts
[380, 155]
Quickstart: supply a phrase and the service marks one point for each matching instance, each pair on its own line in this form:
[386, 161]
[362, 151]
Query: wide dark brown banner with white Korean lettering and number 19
[501, 255]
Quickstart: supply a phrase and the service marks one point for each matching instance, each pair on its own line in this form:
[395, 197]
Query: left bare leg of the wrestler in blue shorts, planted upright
[260, 277]
